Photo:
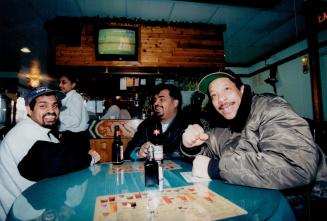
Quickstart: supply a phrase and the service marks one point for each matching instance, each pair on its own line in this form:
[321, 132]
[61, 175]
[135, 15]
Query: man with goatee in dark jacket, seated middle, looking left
[167, 107]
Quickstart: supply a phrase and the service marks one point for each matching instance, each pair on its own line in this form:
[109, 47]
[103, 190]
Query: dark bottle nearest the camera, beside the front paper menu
[151, 169]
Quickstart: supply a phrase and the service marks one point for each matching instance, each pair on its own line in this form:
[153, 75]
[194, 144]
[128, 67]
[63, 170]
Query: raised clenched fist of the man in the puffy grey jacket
[194, 136]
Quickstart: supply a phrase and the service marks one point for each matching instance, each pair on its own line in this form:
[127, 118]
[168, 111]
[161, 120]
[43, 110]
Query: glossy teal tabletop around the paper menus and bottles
[73, 196]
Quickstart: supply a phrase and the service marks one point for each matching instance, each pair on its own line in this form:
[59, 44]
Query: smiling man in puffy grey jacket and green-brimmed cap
[263, 142]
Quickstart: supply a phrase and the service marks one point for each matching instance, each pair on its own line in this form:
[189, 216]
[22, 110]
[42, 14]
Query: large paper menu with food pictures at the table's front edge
[195, 202]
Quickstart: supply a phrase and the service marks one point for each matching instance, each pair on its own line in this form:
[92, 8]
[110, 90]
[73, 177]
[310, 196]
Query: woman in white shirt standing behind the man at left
[73, 115]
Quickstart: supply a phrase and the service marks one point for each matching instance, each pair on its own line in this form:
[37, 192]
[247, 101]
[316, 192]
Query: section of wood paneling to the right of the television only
[181, 47]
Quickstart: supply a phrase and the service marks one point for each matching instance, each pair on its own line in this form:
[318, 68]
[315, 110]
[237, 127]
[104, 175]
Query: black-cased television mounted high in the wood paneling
[116, 43]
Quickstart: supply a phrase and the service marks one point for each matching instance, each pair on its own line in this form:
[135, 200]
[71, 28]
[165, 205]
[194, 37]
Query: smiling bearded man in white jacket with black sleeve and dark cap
[30, 152]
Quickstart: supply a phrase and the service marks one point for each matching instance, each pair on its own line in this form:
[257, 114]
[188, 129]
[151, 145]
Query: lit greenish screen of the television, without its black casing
[116, 41]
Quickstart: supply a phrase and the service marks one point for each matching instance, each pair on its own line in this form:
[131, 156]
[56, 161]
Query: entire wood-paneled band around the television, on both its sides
[159, 46]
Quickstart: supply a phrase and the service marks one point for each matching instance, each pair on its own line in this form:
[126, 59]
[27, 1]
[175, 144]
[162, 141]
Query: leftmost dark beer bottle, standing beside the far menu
[117, 147]
